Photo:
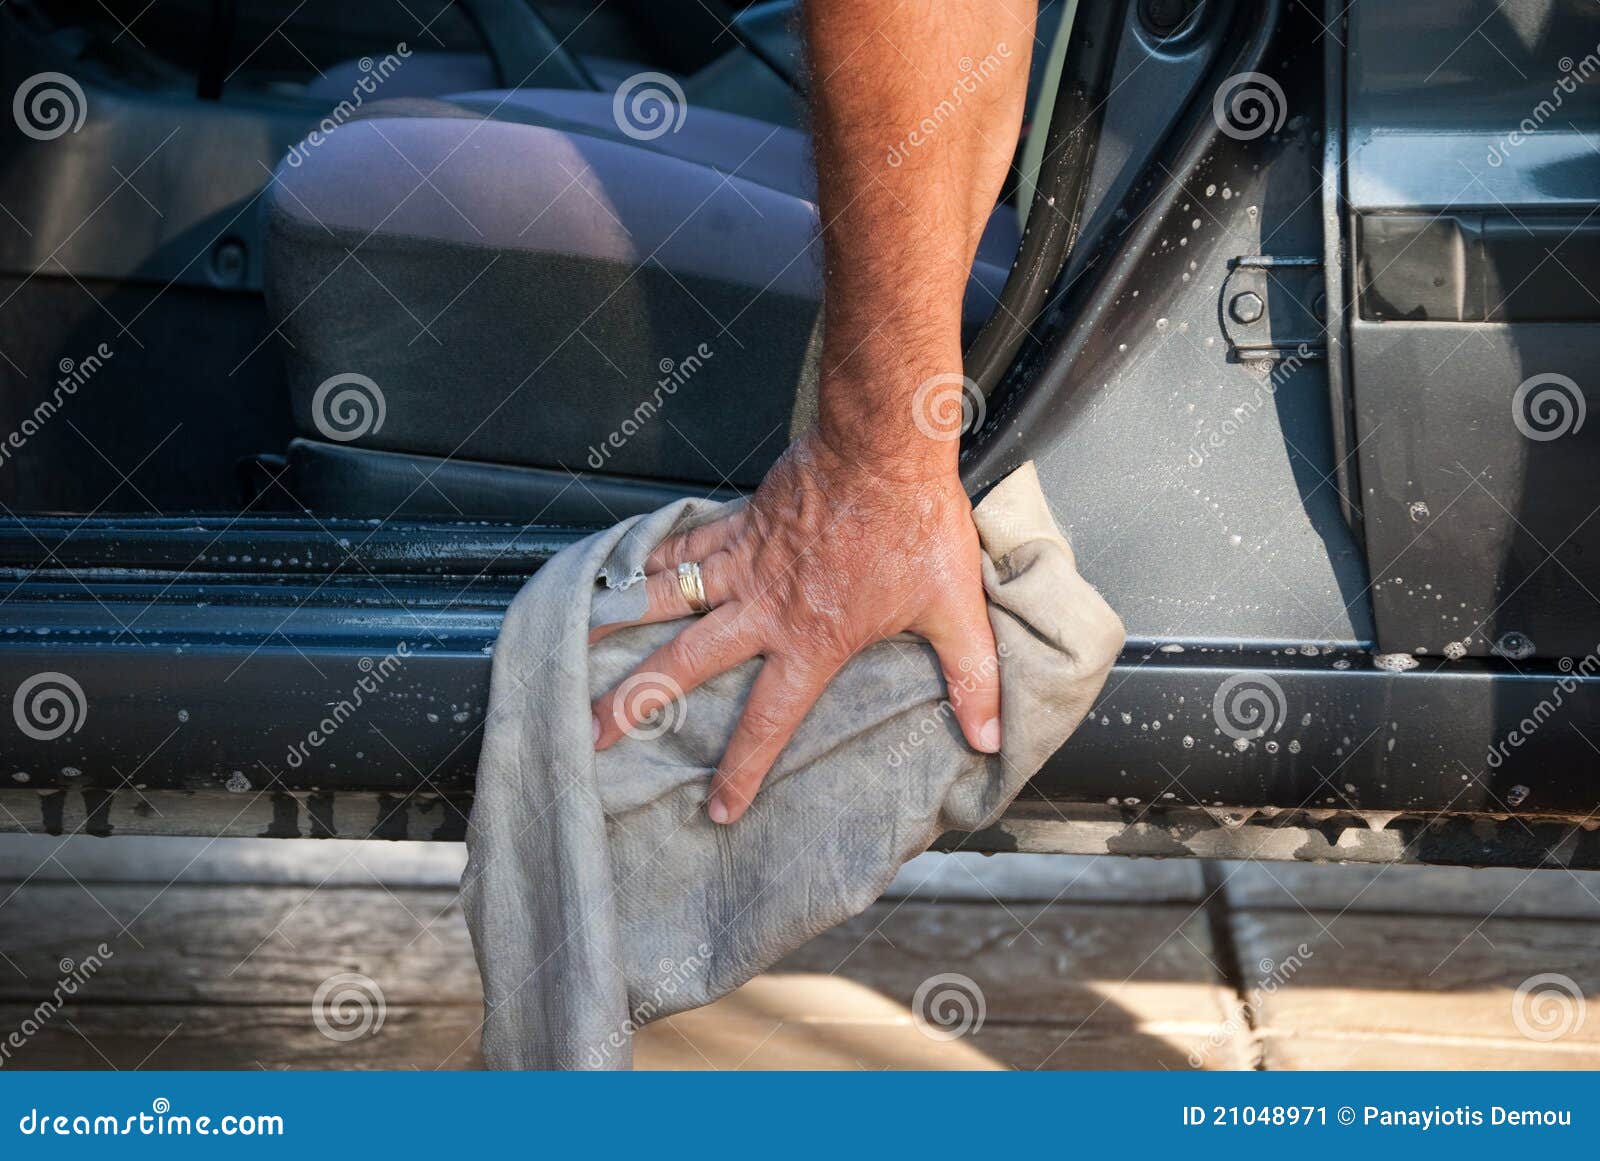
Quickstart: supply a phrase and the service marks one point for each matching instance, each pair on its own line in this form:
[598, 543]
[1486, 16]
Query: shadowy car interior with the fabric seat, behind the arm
[449, 213]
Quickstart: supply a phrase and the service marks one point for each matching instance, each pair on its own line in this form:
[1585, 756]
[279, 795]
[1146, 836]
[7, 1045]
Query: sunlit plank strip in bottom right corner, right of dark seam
[1321, 1051]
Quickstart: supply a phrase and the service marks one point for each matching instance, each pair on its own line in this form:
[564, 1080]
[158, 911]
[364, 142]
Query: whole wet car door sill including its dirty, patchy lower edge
[330, 679]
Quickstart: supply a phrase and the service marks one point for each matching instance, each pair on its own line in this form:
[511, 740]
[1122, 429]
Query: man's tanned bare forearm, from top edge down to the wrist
[916, 116]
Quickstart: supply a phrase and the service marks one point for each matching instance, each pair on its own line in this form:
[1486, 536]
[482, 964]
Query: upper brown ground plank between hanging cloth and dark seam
[1057, 964]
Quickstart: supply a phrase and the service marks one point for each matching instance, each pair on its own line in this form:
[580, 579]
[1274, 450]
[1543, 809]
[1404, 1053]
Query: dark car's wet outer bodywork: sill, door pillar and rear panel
[1226, 402]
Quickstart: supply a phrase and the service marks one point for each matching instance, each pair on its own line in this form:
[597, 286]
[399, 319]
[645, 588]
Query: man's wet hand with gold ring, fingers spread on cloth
[826, 559]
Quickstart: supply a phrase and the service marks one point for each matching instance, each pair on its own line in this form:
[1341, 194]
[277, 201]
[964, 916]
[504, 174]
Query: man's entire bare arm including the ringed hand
[863, 529]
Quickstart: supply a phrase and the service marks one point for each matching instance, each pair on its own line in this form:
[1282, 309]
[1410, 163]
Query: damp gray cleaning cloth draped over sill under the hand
[598, 892]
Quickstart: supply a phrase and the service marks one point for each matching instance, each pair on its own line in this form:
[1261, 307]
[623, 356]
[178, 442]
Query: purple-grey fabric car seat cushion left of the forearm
[559, 298]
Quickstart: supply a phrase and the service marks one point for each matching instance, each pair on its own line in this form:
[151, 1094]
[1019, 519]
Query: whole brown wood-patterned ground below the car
[1081, 964]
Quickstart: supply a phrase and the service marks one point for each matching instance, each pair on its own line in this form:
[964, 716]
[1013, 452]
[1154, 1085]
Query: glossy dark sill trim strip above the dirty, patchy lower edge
[378, 685]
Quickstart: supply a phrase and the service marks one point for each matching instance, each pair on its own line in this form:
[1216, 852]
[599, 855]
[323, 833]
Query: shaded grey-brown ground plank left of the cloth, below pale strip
[246, 946]
